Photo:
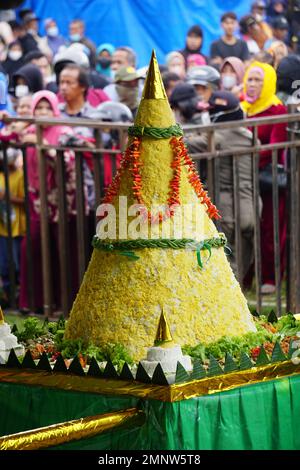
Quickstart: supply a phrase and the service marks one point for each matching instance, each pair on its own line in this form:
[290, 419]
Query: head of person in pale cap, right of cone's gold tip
[205, 79]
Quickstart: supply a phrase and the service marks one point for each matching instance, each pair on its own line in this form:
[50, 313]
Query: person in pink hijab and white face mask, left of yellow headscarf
[232, 73]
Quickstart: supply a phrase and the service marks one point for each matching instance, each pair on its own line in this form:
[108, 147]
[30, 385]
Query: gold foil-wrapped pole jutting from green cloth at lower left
[66, 432]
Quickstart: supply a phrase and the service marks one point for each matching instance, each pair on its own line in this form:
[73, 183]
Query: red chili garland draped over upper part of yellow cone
[132, 161]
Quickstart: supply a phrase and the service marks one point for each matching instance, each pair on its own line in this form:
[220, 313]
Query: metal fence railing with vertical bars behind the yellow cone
[82, 226]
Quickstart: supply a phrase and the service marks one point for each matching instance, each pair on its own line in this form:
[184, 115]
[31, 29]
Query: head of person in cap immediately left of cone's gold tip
[126, 88]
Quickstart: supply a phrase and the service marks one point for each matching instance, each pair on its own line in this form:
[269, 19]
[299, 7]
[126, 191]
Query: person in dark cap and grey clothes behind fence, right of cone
[225, 107]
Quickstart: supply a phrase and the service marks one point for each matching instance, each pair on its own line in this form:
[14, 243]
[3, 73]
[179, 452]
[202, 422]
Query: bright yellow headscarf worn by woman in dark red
[267, 97]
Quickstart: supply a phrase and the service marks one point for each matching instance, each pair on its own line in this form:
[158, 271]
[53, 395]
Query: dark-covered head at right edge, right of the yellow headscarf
[288, 79]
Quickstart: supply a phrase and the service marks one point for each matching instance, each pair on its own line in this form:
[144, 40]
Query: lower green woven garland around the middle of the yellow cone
[124, 247]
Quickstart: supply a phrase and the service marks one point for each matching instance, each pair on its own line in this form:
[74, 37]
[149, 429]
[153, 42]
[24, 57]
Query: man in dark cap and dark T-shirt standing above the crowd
[228, 45]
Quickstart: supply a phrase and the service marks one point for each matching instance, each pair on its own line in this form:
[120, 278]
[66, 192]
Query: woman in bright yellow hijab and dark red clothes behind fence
[261, 101]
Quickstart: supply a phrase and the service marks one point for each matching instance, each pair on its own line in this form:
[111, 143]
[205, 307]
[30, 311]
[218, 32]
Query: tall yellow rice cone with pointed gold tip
[120, 300]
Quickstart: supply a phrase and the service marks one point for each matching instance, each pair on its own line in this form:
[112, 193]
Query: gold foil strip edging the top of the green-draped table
[171, 393]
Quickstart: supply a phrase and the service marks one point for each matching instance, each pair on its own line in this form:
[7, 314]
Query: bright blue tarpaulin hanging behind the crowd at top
[141, 24]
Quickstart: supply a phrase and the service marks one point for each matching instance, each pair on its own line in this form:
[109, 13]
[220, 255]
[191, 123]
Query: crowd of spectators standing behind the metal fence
[251, 71]
